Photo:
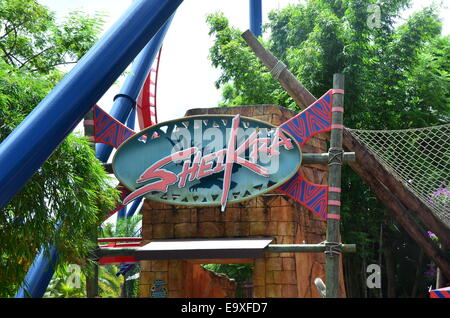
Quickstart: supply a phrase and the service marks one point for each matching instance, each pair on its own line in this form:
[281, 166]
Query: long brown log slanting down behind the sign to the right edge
[396, 189]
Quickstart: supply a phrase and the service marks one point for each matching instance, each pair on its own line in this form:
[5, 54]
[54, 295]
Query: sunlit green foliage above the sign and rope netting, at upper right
[319, 38]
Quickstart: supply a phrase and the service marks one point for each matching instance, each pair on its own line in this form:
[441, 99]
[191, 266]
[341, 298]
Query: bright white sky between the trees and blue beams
[186, 77]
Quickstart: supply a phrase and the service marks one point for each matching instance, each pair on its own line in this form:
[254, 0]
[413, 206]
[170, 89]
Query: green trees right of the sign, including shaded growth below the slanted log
[397, 76]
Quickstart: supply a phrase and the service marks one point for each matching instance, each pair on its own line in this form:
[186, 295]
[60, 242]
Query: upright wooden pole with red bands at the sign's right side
[334, 189]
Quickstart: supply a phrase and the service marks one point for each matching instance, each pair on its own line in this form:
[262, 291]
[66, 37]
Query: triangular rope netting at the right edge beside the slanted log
[419, 158]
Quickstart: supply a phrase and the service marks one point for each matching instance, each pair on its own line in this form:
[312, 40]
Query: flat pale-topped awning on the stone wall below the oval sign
[203, 248]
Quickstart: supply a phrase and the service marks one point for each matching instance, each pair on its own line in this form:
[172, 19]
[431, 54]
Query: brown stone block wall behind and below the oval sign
[273, 214]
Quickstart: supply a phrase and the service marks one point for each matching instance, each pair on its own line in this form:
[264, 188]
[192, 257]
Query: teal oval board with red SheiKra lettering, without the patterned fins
[206, 160]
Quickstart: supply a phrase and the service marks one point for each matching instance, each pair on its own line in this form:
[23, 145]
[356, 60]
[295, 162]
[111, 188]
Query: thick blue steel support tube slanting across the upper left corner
[33, 141]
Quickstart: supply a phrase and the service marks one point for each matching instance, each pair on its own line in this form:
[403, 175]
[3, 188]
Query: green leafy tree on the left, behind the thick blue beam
[70, 193]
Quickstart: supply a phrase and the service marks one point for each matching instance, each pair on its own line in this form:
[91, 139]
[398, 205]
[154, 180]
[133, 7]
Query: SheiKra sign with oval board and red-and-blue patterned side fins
[212, 160]
